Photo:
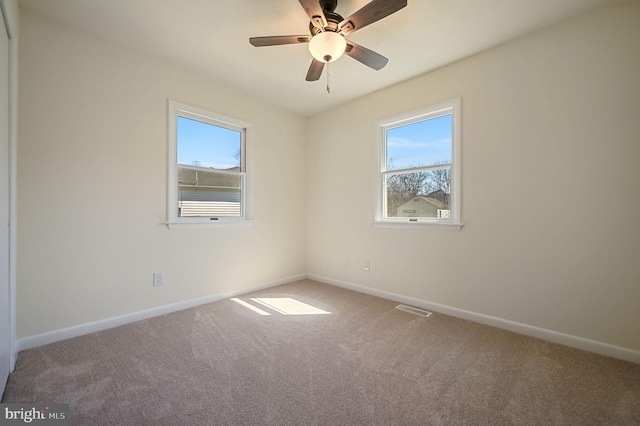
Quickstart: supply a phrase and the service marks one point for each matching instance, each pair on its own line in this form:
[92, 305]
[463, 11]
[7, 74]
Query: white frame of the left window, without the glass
[177, 109]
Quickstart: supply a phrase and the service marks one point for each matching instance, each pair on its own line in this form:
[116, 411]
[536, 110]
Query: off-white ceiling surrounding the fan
[211, 37]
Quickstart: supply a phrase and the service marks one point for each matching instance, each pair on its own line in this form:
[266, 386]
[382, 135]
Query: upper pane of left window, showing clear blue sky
[205, 145]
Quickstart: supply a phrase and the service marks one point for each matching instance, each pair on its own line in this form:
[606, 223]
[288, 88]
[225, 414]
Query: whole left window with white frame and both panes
[208, 176]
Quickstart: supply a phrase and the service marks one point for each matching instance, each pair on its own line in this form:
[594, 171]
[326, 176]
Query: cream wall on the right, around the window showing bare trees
[551, 155]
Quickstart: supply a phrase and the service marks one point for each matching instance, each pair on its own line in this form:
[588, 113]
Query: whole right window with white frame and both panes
[419, 178]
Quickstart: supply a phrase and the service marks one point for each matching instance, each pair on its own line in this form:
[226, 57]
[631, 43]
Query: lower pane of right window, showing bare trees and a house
[419, 194]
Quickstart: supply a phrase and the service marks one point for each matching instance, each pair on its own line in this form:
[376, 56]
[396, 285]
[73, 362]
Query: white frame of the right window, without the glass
[454, 222]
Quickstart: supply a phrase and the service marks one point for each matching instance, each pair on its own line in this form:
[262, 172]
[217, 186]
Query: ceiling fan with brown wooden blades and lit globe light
[327, 41]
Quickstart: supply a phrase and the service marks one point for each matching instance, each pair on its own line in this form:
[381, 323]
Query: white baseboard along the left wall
[92, 327]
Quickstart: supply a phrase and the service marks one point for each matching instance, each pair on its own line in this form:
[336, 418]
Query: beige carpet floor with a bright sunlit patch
[362, 363]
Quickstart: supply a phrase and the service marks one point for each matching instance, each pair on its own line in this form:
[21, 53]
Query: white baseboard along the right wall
[540, 333]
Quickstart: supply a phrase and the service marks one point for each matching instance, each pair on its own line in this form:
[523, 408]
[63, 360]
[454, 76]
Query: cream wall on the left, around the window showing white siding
[92, 185]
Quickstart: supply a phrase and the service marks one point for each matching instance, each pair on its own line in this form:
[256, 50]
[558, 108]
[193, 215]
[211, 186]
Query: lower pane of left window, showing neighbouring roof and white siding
[208, 193]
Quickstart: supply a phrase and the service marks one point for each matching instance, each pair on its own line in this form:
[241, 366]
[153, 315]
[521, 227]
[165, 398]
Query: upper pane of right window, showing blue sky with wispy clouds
[421, 144]
